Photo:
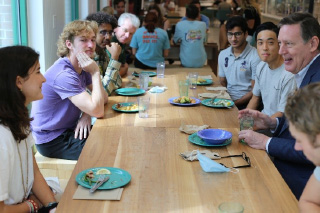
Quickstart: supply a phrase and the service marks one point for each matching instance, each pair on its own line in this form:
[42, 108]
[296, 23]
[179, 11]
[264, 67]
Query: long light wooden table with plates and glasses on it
[161, 180]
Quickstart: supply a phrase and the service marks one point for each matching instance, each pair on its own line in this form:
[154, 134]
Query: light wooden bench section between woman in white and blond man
[54, 167]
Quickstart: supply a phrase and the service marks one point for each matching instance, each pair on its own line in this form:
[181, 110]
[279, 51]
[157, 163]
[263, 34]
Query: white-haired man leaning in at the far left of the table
[127, 26]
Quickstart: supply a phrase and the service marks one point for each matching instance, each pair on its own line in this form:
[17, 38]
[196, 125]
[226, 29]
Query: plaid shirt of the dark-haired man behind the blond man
[109, 70]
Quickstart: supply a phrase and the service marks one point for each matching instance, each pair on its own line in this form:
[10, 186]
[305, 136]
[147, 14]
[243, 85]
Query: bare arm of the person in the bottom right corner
[310, 198]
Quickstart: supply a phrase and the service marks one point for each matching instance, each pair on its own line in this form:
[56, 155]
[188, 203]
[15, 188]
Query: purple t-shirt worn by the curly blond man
[55, 113]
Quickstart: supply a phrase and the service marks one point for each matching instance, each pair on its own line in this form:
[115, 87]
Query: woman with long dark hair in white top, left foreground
[22, 186]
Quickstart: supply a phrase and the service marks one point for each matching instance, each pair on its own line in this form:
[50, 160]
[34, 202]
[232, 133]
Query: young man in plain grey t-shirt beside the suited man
[273, 83]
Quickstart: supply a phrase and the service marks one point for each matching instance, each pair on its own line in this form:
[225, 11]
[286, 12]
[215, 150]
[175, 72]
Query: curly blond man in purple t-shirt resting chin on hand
[62, 119]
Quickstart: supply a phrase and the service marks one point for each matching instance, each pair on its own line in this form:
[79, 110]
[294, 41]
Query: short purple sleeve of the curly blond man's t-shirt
[68, 83]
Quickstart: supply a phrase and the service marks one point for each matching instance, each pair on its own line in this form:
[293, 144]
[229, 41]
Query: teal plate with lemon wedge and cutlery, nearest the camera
[118, 178]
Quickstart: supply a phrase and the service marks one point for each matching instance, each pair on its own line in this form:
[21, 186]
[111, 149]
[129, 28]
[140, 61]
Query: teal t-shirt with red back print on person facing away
[150, 46]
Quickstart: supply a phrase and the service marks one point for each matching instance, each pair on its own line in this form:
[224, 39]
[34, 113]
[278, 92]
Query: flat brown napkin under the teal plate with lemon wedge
[84, 194]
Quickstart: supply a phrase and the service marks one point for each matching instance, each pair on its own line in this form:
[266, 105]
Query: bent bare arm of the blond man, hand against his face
[91, 104]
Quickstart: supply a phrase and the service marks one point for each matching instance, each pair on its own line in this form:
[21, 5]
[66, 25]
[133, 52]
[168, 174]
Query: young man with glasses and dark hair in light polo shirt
[238, 63]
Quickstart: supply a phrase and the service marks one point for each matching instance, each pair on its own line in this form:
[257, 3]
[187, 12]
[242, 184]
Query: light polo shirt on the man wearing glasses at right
[239, 71]
